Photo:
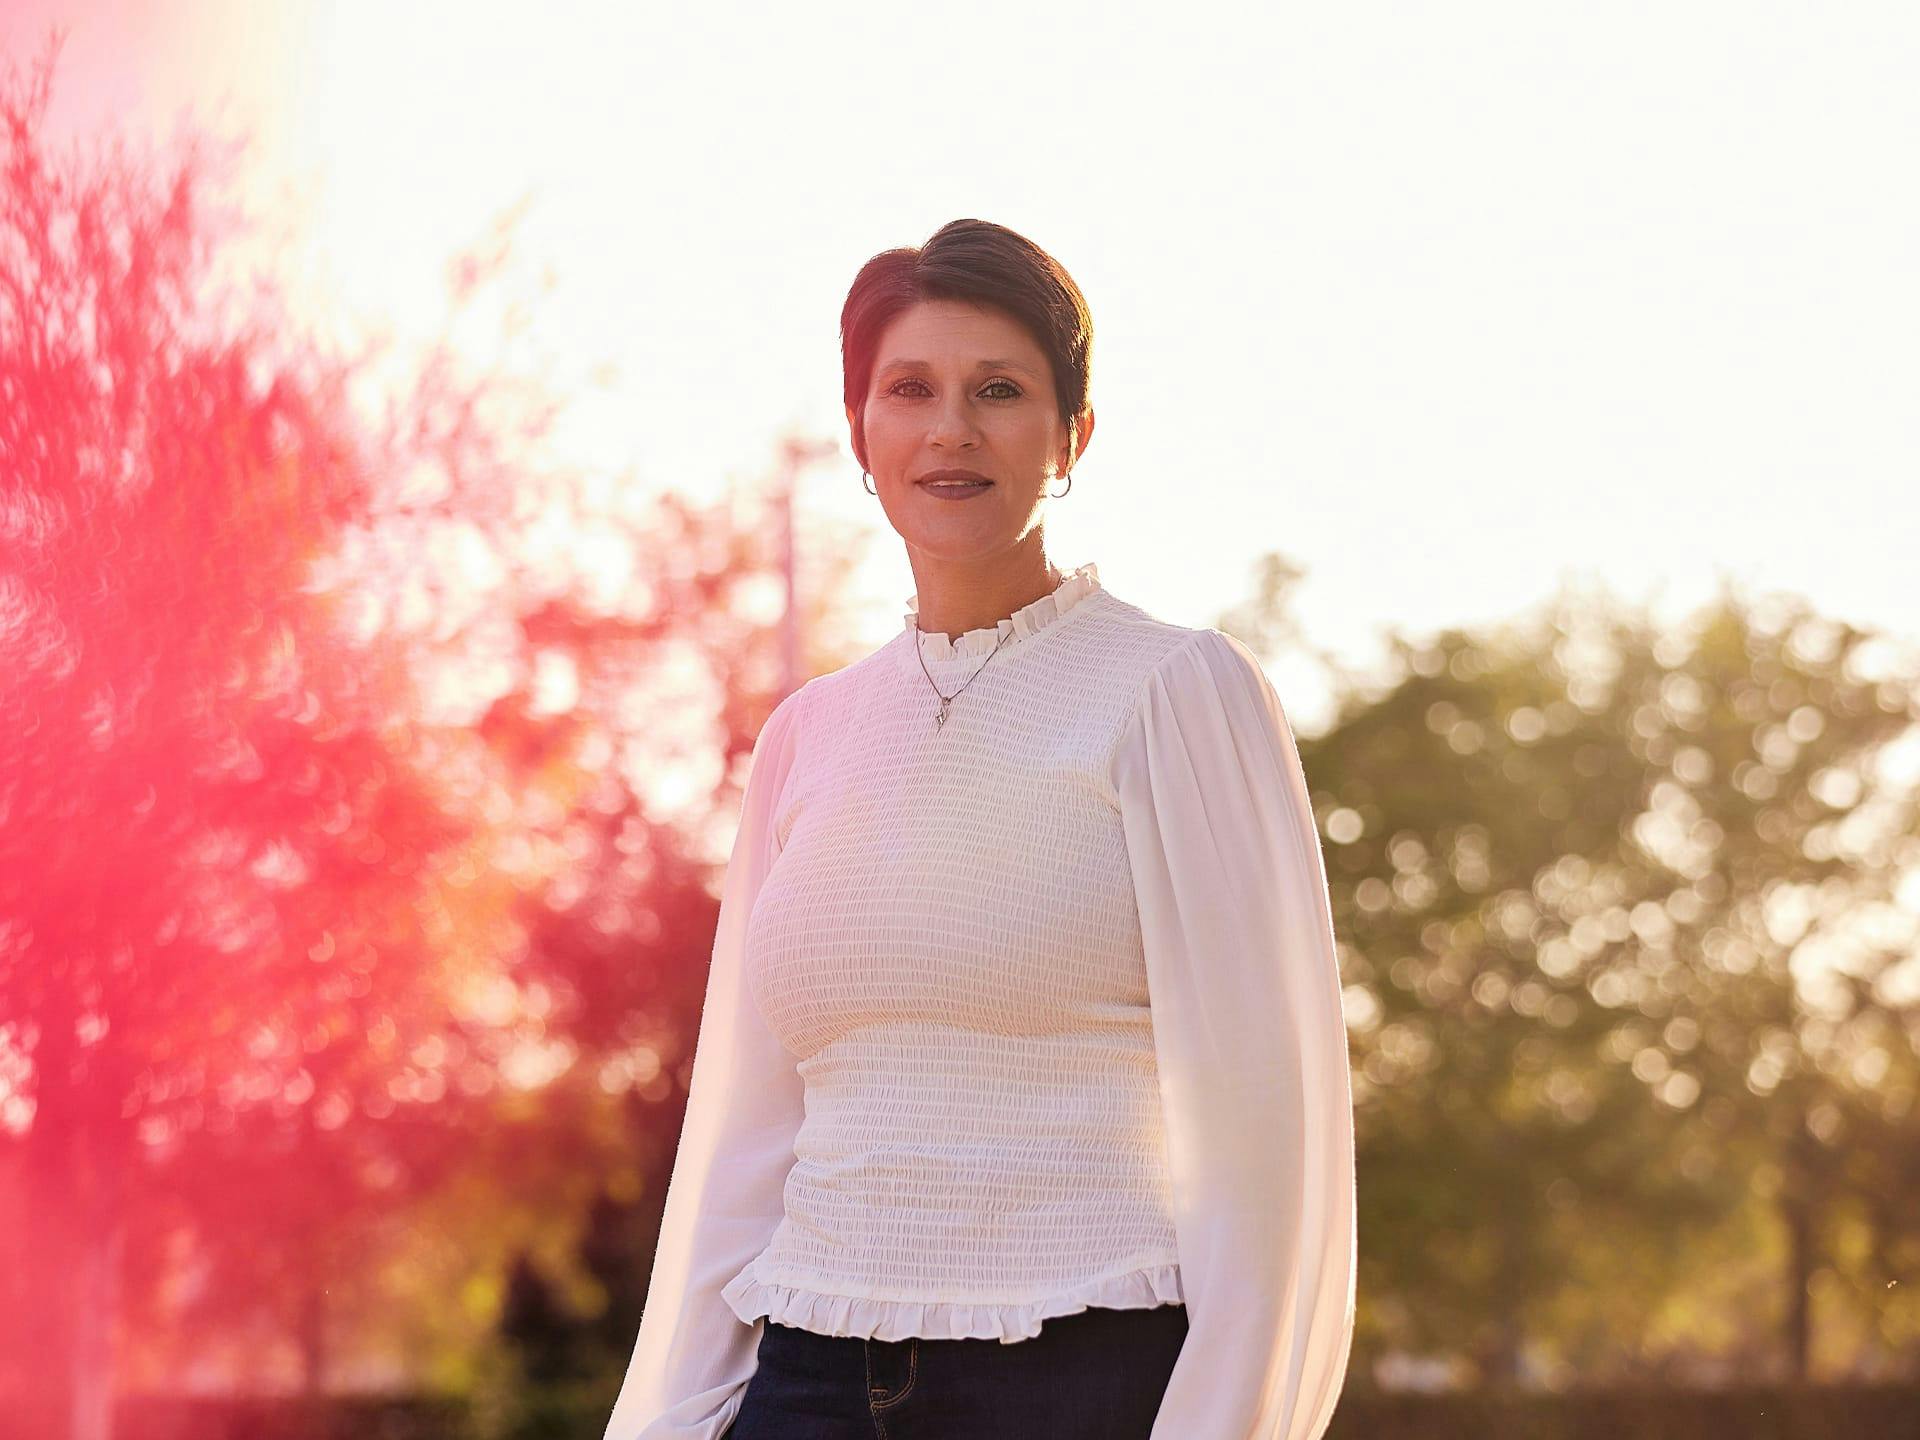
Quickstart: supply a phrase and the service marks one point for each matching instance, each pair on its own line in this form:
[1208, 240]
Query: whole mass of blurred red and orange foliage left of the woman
[262, 876]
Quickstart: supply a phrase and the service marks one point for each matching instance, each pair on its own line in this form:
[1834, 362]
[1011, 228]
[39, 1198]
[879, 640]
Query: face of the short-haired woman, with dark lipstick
[959, 387]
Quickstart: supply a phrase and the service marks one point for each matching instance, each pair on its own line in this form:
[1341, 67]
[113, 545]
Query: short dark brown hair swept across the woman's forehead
[982, 264]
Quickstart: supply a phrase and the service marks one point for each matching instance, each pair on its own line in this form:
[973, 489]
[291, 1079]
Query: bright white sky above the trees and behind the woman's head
[1443, 302]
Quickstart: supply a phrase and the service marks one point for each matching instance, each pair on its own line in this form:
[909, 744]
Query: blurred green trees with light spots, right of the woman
[1593, 880]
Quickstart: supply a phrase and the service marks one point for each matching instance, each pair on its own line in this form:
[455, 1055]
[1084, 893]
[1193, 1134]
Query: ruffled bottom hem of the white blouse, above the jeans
[900, 1320]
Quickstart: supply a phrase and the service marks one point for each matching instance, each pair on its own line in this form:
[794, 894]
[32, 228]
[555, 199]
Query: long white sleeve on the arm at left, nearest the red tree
[694, 1356]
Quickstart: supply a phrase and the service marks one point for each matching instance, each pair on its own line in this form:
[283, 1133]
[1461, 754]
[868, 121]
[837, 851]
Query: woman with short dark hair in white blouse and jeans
[1020, 1101]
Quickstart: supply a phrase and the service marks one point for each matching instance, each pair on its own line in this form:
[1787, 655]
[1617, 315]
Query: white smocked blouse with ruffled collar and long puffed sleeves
[1020, 1015]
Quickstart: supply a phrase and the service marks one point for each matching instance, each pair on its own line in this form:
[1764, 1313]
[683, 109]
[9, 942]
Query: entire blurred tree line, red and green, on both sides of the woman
[356, 901]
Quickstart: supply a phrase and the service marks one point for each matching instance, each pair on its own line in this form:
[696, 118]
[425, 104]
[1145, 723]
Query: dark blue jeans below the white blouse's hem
[1092, 1376]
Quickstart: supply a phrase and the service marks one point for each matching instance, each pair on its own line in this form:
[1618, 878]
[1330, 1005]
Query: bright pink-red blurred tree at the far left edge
[210, 846]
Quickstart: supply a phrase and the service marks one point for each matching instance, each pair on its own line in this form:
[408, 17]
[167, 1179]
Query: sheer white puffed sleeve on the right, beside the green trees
[1251, 1044]
